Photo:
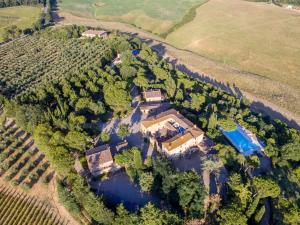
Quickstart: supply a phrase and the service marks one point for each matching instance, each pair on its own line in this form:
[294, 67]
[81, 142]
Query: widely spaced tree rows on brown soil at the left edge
[21, 163]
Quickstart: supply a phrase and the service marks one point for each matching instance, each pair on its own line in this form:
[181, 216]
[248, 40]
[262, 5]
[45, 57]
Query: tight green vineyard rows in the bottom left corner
[18, 208]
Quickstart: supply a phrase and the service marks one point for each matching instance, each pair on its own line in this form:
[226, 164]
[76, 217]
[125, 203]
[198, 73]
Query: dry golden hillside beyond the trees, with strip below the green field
[236, 54]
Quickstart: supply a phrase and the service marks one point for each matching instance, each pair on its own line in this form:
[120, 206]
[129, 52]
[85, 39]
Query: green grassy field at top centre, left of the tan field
[156, 15]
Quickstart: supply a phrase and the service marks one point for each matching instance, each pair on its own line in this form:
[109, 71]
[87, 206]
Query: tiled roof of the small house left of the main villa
[98, 156]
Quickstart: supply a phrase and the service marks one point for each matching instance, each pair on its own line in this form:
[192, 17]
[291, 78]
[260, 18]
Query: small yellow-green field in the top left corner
[21, 16]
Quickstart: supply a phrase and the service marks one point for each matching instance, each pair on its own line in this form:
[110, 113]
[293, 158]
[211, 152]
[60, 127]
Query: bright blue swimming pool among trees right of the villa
[240, 140]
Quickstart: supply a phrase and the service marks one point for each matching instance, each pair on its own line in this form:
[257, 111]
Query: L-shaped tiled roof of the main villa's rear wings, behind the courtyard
[170, 114]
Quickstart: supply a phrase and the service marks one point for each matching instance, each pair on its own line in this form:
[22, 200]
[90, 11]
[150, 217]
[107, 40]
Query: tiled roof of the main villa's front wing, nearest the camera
[180, 139]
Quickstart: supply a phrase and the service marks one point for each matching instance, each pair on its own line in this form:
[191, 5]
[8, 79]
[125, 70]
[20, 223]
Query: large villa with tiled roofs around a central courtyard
[172, 133]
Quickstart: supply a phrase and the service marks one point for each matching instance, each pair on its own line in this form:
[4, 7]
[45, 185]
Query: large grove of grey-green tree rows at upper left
[32, 59]
